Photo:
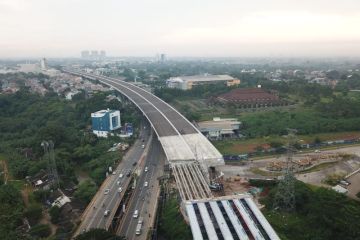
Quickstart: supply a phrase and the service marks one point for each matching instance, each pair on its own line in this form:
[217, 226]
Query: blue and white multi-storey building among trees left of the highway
[105, 121]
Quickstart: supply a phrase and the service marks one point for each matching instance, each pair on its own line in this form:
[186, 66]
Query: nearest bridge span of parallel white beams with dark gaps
[228, 217]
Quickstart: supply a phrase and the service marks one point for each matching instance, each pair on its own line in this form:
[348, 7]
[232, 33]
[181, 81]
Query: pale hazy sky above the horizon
[214, 28]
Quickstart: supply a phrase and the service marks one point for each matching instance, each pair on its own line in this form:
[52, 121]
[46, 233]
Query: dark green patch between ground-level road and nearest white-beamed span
[172, 225]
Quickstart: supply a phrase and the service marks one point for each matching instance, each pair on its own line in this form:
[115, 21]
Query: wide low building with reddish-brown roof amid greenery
[250, 97]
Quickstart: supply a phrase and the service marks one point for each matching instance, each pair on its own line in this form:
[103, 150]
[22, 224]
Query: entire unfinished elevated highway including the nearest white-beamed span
[191, 155]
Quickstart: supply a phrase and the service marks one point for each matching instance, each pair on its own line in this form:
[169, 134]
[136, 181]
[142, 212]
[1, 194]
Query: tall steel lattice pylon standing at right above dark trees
[285, 195]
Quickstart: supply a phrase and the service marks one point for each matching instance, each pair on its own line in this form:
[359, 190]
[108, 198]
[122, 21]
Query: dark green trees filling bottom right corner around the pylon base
[320, 214]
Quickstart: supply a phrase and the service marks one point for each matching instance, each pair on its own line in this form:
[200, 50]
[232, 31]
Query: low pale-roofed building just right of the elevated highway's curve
[218, 128]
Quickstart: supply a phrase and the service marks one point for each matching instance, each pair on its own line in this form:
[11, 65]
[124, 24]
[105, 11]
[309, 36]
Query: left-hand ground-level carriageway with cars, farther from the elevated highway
[93, 216]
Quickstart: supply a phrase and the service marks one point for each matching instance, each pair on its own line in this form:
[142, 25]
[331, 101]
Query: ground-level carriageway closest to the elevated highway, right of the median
[145, 197]
